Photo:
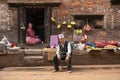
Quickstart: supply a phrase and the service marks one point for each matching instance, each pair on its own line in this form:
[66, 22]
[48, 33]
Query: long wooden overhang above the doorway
[34, 2]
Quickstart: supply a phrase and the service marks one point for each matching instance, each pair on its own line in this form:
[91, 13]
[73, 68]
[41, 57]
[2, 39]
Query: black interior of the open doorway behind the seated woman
[36, 17]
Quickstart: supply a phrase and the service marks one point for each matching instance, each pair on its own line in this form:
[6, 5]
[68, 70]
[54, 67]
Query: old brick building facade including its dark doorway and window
[103, 17]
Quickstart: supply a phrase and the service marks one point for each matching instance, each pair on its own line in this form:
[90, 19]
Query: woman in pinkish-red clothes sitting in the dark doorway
[30, 36]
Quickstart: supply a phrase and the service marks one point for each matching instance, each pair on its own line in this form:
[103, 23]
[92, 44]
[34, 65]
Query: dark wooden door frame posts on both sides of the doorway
[22, 23]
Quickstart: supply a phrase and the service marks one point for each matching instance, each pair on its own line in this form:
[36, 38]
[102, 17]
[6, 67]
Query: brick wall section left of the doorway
[8, 22]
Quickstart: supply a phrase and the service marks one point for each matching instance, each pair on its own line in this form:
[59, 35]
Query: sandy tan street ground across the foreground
[45, 73]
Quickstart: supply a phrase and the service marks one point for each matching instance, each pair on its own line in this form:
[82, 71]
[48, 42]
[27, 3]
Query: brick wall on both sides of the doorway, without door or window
[66, 11]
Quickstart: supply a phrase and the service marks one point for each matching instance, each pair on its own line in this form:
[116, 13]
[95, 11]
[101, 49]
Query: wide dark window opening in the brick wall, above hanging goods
[95, 21]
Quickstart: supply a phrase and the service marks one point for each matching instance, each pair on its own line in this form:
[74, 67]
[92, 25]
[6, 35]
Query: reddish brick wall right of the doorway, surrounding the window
[111, 14]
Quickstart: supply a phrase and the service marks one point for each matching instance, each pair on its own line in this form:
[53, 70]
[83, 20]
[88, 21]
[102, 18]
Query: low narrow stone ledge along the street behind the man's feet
[74, 67]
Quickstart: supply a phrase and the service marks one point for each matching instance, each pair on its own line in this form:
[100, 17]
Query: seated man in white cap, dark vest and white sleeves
[63, 52]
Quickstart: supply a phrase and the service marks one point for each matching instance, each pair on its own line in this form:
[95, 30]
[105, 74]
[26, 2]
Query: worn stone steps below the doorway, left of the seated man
[33, 56]
